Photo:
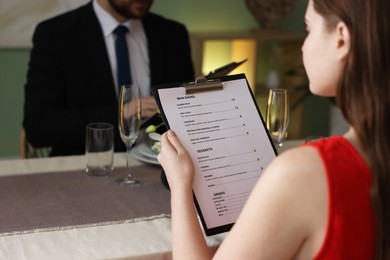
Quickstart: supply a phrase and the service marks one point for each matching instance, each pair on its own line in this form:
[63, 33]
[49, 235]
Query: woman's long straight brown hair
[363, 94]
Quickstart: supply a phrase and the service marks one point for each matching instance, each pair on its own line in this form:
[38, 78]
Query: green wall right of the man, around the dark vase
[222, 15]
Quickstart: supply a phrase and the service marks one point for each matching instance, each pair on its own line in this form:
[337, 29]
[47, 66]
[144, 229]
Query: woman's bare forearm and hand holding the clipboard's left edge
[187, 237]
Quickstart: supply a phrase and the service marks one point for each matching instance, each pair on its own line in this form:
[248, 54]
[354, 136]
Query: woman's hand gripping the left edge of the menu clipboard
[176, 162]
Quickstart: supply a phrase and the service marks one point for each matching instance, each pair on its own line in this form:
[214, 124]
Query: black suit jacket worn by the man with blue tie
[70, 82]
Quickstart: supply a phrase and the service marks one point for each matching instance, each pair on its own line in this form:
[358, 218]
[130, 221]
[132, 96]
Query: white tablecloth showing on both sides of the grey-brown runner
[141, 240]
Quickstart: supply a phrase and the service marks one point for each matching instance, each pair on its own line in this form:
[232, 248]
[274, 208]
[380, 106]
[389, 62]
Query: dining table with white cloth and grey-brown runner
[51, 209]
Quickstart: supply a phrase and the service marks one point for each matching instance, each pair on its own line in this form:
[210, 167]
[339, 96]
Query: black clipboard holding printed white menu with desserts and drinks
[219, 123]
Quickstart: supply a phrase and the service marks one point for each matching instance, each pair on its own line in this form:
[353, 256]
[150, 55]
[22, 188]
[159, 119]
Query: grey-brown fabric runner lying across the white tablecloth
[62, 200]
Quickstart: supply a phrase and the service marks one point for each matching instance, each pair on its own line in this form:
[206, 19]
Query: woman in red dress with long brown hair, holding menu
[328, 199]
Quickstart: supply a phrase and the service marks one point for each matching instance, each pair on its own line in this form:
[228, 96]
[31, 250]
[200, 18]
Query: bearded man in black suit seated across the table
[72, 78]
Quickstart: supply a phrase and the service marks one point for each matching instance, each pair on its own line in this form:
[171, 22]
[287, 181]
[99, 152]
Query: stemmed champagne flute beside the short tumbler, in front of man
[129, 125]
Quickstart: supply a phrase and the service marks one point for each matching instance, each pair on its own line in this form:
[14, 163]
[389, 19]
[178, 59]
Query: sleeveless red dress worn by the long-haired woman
[350, 230]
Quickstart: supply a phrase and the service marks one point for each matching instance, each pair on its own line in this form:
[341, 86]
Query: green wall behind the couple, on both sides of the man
[198, 15]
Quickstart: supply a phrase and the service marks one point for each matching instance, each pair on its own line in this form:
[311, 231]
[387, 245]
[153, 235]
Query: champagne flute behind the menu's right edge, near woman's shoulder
[278, 115]
